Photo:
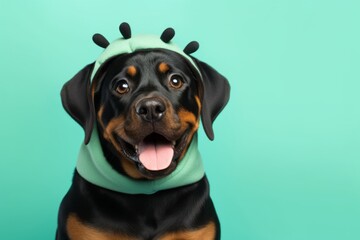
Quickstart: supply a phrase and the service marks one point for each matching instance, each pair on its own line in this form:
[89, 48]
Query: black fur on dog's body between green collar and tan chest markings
[142, 216]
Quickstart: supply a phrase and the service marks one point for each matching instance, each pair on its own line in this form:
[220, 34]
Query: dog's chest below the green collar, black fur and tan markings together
[163, 215]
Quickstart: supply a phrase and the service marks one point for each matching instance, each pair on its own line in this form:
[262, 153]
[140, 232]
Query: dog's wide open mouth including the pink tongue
[155, 154]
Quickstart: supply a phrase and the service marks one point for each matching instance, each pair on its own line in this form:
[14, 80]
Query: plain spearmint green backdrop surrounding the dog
[285, 164]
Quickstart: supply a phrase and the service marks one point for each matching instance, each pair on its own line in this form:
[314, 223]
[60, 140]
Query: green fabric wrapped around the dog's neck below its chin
[93, 167]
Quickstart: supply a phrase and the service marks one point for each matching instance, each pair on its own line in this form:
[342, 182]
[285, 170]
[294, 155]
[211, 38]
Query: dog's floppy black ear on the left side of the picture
[77, 101]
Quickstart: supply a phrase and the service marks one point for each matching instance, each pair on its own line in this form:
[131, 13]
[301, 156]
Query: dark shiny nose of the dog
[150, 109]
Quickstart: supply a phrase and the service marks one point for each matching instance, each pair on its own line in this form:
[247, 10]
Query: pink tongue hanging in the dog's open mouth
[155, 156]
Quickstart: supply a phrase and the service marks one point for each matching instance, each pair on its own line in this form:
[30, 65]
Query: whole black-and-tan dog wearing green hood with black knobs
[140, 110]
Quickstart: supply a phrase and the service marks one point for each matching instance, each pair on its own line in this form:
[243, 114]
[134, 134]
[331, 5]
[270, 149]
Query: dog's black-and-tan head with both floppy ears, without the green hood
[147, 105]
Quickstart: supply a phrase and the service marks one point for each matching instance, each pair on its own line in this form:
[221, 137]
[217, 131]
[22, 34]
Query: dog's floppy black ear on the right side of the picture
[215, 91]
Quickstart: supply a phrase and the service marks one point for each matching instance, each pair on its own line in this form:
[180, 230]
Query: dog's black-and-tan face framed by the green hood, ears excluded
[147, 108]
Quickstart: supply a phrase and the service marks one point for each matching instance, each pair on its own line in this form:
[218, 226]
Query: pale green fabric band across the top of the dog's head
[140, 42]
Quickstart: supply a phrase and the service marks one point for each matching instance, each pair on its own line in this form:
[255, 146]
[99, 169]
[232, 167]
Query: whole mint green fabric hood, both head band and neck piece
[92, 164]
